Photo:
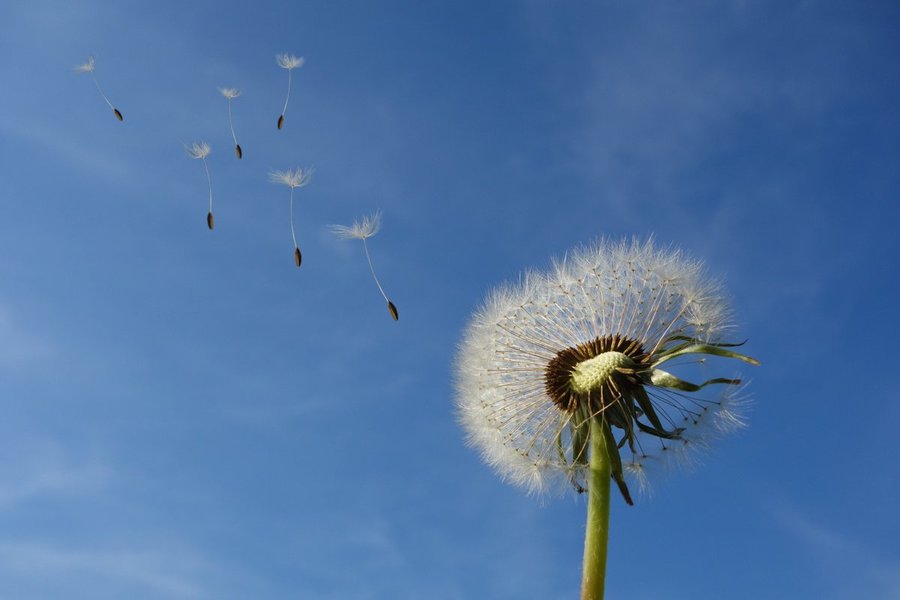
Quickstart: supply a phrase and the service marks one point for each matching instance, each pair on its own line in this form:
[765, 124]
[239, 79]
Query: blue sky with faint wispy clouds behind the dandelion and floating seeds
[187, 415]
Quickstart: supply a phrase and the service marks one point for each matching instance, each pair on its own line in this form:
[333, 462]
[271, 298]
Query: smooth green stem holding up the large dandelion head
[597, 534]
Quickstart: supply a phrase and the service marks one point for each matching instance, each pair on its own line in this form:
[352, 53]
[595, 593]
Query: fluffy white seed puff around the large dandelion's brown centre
[655, 298]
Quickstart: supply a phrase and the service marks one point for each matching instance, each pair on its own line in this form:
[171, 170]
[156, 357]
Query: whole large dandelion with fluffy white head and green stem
[559, 378]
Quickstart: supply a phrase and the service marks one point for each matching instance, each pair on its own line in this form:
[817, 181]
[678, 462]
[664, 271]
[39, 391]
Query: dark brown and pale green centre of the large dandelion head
[594, 375]
